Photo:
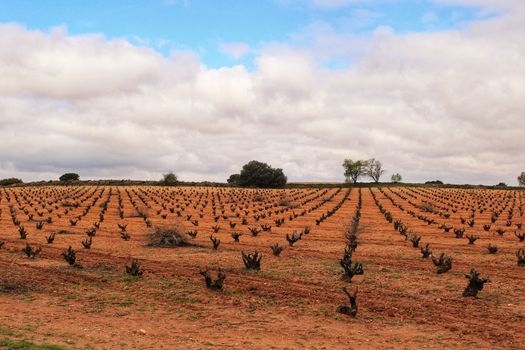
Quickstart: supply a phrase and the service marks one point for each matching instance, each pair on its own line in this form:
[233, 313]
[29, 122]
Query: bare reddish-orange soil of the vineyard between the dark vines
[291, 302]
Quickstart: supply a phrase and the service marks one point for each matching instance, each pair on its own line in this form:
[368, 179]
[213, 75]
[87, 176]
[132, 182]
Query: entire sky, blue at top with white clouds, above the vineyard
[133, 89]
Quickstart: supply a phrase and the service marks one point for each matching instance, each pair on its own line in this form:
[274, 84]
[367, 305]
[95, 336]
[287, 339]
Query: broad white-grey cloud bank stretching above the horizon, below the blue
[445, 105]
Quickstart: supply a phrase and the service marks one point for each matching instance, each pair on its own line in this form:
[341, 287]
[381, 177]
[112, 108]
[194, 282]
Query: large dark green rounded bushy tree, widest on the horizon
[257, 174]
